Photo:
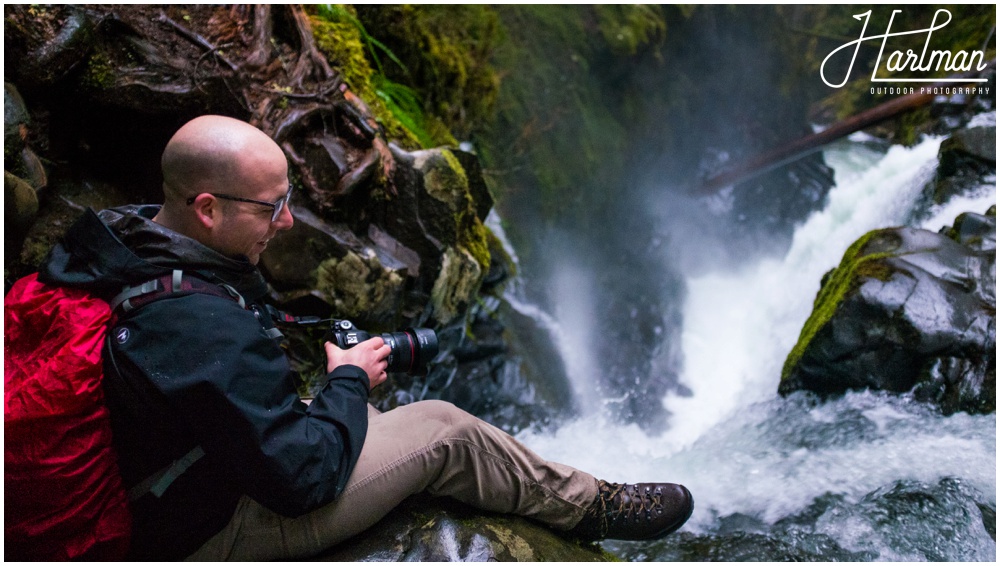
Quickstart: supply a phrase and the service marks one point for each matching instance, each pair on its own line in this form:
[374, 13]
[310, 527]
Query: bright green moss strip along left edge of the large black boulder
[860, 262]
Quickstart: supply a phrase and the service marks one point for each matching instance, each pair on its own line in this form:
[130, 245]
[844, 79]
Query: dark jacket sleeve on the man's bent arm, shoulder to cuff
[231, 387]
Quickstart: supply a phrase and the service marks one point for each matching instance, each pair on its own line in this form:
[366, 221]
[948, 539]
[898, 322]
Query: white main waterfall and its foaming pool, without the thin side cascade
[742, 449]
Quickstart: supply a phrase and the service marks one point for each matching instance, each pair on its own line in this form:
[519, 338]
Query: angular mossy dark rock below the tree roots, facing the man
[427, 258]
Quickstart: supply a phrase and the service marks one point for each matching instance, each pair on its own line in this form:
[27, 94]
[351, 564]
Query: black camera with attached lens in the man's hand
[410, 350]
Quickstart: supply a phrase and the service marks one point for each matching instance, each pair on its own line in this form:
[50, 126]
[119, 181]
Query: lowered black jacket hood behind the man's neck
[102, 252]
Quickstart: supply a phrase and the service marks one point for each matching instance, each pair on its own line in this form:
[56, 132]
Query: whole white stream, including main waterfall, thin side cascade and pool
[879, 476]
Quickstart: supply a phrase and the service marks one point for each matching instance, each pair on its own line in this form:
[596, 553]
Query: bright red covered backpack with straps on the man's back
[64, 498]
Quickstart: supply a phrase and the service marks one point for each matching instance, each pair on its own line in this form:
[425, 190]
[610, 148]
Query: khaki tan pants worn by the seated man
[429, 446]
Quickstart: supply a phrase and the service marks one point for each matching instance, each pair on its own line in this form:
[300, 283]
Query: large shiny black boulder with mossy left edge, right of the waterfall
[907, 309]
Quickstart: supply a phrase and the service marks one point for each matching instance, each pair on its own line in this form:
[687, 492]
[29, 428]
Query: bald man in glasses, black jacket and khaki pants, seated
[222, 458]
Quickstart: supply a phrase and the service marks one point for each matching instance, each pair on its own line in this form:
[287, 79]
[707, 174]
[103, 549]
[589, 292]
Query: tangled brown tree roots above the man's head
[260, 63]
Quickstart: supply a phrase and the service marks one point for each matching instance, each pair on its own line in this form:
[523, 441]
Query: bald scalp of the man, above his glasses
[216, 153]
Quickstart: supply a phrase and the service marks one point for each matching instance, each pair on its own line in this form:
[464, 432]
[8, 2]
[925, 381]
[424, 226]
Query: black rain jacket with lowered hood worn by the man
[195, 369]
